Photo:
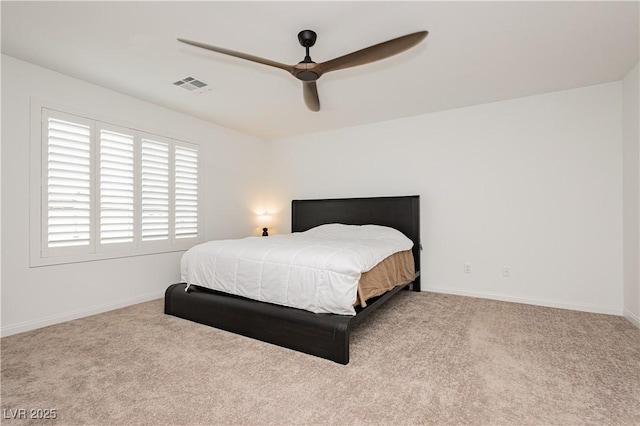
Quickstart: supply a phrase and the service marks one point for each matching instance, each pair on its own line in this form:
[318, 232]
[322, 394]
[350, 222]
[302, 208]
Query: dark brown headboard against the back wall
[401, 213]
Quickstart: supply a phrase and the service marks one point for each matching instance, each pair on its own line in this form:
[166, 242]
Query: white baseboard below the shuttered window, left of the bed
[68, 316]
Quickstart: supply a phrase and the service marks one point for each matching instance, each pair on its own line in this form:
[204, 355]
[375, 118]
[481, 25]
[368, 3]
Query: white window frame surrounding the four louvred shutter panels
[40, 253]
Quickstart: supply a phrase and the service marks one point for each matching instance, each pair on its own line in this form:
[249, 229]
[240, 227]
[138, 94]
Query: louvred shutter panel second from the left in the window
[117, 215]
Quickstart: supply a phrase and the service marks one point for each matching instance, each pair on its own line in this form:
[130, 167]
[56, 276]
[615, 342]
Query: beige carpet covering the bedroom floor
[421, 359]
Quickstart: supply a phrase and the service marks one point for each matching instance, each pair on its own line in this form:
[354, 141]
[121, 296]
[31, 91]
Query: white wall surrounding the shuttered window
[34, 297]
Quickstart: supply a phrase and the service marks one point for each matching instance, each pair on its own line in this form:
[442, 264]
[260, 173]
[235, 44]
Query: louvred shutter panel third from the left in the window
[154, 190]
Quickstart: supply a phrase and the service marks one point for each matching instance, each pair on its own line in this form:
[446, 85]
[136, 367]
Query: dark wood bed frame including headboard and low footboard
[323, 335]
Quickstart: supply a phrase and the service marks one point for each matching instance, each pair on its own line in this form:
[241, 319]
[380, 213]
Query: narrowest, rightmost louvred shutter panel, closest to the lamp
[186, 192]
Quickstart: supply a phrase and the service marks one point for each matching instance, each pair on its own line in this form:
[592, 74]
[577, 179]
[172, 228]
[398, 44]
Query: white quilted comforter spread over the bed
[317, 270]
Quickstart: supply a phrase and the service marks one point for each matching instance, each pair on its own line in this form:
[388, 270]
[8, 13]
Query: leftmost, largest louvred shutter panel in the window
[68, 183]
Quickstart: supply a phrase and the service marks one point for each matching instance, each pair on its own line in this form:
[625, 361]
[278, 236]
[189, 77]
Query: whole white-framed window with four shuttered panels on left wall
[109, 191]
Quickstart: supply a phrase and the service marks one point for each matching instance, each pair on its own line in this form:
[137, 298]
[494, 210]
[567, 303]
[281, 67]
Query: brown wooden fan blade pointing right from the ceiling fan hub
[373, 53]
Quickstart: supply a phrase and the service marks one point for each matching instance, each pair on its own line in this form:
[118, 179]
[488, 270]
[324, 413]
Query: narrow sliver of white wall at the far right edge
[631, 194]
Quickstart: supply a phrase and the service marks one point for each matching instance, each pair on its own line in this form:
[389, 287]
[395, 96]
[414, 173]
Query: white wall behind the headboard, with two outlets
[532, 183]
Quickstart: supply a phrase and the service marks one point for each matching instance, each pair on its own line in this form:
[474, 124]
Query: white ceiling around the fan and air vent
[476, 52]
